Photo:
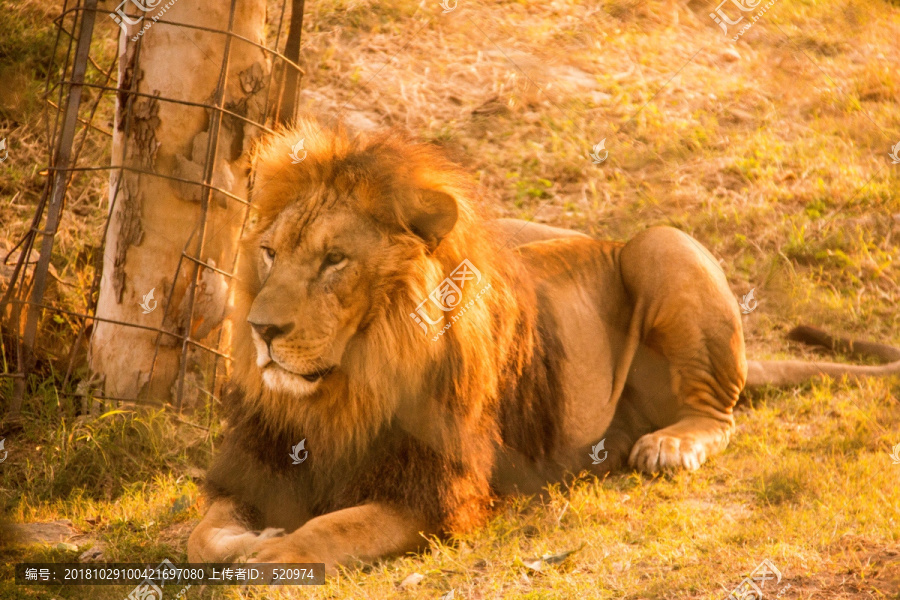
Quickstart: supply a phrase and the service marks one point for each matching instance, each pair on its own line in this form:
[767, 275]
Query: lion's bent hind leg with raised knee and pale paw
[685, 312]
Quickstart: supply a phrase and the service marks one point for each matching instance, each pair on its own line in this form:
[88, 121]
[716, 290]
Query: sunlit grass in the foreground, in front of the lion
[807, 474]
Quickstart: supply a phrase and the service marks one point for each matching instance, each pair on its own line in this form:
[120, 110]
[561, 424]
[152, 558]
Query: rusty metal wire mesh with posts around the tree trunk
[77, 90]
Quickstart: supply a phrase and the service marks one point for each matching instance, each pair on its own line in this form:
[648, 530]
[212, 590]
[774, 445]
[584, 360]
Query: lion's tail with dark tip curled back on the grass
[793, 372]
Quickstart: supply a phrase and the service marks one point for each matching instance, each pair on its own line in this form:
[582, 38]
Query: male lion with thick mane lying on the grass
[431, 360]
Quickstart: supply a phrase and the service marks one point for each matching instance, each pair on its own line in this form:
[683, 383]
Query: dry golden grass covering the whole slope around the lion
[777, 161]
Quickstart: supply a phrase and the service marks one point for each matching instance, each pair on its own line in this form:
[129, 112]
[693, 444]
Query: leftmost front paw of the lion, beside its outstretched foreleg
[223, 536]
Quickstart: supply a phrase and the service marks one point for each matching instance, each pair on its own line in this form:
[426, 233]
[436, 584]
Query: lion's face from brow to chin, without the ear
[316, 288]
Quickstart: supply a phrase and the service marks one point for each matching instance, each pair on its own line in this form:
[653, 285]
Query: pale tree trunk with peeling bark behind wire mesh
[153, 219]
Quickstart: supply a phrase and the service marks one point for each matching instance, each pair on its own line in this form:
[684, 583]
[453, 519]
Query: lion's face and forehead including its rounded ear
[324, 265]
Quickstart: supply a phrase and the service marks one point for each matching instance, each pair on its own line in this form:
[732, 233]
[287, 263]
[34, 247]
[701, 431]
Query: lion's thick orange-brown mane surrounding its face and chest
[433, 411]
